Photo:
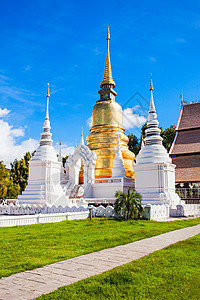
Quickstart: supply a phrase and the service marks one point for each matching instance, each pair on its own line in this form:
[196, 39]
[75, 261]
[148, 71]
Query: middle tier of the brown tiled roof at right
[187, 142]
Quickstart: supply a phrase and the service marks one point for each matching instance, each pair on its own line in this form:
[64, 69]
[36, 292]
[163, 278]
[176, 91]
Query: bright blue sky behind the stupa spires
[64, 43]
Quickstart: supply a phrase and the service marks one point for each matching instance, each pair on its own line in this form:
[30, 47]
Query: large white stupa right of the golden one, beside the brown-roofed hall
[154, 171]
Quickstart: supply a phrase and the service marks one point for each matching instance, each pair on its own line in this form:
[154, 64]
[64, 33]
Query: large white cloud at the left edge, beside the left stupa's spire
[10, 149]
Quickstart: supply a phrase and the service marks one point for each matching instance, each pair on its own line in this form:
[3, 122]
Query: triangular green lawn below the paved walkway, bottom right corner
[171, 273]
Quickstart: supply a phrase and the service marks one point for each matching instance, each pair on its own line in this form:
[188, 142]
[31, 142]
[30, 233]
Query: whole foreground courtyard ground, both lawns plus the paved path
[172, 271]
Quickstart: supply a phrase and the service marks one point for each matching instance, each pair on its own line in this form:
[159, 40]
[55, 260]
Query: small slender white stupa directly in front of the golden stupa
[118, 169]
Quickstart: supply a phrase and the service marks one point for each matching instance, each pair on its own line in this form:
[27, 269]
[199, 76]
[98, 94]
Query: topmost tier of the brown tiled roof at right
[190, 117]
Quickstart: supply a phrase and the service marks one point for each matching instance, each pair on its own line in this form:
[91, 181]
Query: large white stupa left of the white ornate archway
[44, 172]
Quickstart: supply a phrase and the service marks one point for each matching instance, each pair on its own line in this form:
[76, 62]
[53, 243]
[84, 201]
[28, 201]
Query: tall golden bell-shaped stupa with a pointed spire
[107, 118]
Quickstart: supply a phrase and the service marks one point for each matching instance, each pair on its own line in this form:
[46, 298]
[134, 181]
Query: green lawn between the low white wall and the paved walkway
[28, 247]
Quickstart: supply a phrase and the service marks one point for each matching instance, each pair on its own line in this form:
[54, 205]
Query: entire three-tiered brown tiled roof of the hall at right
[187, 145]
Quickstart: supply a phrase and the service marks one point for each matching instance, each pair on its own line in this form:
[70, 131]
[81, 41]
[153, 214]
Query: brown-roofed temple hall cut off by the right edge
[185, 152]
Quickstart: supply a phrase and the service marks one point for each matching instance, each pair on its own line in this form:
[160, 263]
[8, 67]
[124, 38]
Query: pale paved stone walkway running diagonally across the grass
[31, 284]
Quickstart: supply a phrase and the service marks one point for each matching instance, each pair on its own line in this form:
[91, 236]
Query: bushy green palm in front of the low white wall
[129, 204]
